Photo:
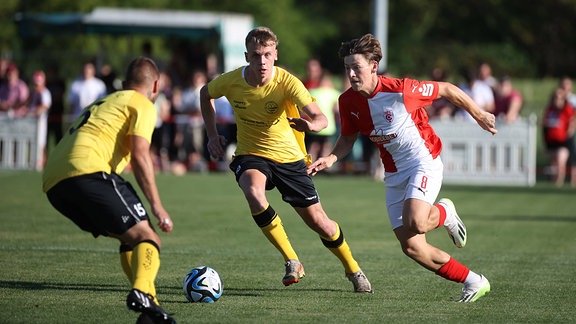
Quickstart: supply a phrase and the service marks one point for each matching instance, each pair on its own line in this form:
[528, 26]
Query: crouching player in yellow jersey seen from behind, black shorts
[82, 180]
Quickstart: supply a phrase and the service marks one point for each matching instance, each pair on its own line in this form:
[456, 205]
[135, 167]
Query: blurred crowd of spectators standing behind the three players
[179, 139]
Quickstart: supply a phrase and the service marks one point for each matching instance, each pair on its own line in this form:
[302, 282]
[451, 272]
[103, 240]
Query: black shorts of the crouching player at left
[99, 203]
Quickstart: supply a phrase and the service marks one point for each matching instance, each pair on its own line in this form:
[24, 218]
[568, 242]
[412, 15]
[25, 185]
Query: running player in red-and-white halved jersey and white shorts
[392, 113]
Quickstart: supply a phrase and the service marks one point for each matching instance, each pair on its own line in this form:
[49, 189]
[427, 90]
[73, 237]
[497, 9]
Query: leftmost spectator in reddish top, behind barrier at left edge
[14, 93]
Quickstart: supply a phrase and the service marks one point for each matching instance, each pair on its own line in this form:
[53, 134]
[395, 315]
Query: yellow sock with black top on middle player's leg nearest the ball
[271, 225]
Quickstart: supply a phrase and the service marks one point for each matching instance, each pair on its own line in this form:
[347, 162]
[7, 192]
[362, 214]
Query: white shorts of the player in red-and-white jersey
[421, 182]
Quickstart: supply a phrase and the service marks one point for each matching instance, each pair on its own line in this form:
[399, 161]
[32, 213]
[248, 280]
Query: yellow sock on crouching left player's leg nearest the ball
[145, 265]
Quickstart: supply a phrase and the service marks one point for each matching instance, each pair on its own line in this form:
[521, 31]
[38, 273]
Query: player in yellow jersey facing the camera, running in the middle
[270, 150]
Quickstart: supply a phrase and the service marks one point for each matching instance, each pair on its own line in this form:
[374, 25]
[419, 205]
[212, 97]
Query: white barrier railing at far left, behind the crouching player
[18, 143]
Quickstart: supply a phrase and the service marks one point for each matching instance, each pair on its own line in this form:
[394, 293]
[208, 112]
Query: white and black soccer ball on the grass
[202, 284]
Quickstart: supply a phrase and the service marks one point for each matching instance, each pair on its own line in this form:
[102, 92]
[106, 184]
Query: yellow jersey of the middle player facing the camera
[261, 113]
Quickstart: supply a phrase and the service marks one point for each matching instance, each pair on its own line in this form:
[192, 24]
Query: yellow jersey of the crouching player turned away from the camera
[99, 139]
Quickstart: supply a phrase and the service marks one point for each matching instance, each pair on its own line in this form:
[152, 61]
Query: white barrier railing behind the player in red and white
[473, 156]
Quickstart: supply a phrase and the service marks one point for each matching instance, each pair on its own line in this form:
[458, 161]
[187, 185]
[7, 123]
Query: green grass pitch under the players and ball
[522, 239]
